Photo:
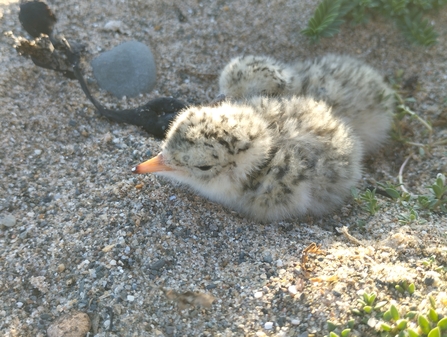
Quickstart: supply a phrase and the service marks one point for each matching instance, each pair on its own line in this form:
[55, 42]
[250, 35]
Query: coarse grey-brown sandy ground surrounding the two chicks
[92, 237]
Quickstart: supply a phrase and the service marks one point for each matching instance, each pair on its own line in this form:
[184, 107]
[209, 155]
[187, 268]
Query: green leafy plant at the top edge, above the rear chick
[406, 14]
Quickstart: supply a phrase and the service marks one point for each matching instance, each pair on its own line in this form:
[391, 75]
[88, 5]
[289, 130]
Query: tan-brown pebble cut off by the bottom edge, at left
[75, 324]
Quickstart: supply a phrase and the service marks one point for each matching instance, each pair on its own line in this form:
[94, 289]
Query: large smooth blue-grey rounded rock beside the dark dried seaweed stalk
[126, 70]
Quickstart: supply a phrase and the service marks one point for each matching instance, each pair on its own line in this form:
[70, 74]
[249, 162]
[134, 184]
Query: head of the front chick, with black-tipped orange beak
[212, 148]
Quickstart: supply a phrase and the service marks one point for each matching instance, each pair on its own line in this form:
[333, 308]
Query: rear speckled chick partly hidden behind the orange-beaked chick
[355, 91]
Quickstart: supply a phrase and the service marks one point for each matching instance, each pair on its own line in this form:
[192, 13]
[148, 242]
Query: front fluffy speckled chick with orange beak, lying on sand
[267, 158]
